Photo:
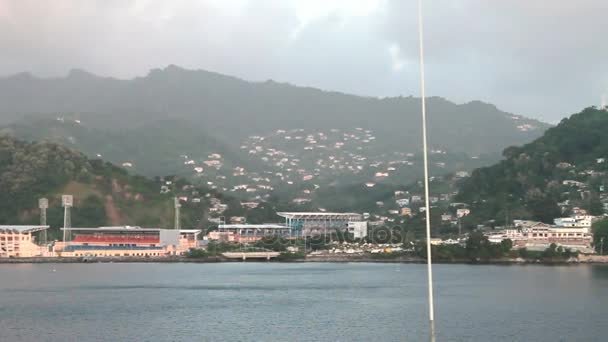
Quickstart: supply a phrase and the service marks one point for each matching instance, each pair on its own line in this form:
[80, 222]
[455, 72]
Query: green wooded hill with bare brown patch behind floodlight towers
[103, 193]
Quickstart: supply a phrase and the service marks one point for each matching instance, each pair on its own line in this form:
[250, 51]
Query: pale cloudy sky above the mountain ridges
[545, 59]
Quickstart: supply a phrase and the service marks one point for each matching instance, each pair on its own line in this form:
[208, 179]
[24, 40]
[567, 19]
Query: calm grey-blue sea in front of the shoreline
[300, 302]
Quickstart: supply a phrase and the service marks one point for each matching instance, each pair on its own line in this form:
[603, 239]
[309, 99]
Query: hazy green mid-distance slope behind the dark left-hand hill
[151, 149]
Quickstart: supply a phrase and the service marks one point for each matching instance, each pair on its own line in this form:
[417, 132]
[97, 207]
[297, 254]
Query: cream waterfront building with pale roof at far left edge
[19, 242]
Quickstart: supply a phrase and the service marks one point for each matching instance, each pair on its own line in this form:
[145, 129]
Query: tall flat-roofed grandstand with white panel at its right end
[322, 223]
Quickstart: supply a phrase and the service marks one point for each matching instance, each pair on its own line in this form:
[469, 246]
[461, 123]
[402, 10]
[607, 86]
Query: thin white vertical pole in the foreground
[426, 177]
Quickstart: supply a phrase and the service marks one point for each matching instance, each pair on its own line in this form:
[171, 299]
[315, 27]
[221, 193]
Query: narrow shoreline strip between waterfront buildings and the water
[584, 259]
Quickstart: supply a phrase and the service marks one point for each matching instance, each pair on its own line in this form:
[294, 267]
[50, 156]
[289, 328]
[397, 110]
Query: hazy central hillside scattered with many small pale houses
[300, 162]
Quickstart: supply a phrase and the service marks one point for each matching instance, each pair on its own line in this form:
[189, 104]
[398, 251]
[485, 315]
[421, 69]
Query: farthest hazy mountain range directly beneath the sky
[231, 109]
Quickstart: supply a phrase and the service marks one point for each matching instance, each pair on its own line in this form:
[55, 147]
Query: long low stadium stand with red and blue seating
[126, 242]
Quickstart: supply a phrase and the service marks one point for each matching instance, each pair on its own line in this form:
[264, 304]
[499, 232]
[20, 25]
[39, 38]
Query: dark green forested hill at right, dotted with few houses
[565, 168]
